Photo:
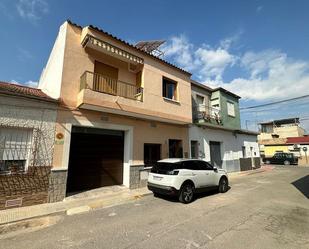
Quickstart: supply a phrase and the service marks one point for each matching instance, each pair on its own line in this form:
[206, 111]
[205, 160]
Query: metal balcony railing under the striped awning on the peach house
[104, 84]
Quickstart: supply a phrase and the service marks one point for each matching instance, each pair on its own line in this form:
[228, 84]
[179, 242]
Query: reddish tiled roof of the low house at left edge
[24, 91]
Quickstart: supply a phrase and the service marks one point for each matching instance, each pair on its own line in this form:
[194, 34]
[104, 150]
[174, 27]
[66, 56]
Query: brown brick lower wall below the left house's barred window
[25, 189]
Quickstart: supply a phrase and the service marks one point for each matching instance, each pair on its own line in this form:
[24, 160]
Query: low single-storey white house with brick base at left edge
[27, 131]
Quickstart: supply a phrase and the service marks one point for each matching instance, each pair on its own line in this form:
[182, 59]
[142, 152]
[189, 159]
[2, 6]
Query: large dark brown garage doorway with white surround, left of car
[96, 159]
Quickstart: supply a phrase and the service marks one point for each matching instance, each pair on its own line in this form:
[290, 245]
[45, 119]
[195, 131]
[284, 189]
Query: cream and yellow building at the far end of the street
[274, 135]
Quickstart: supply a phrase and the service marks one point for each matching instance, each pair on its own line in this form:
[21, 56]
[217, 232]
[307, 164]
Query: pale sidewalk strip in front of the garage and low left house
[87, 201]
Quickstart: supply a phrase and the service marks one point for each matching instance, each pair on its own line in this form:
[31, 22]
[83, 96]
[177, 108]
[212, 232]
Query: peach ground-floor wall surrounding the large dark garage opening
[143, 132]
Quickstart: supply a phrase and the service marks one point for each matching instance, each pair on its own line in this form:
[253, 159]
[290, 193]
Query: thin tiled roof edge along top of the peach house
[130, 45]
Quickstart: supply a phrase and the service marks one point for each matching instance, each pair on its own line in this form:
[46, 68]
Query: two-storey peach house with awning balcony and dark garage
[121, 109]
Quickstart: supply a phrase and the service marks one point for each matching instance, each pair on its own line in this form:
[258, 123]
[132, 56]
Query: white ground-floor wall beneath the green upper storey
[231, 144]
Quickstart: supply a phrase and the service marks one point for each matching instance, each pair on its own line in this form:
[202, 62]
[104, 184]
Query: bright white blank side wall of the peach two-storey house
[51, 76]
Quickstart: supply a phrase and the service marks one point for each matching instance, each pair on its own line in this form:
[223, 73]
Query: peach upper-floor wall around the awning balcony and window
[77, 60]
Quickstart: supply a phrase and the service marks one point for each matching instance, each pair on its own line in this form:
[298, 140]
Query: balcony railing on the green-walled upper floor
[204, 113]
